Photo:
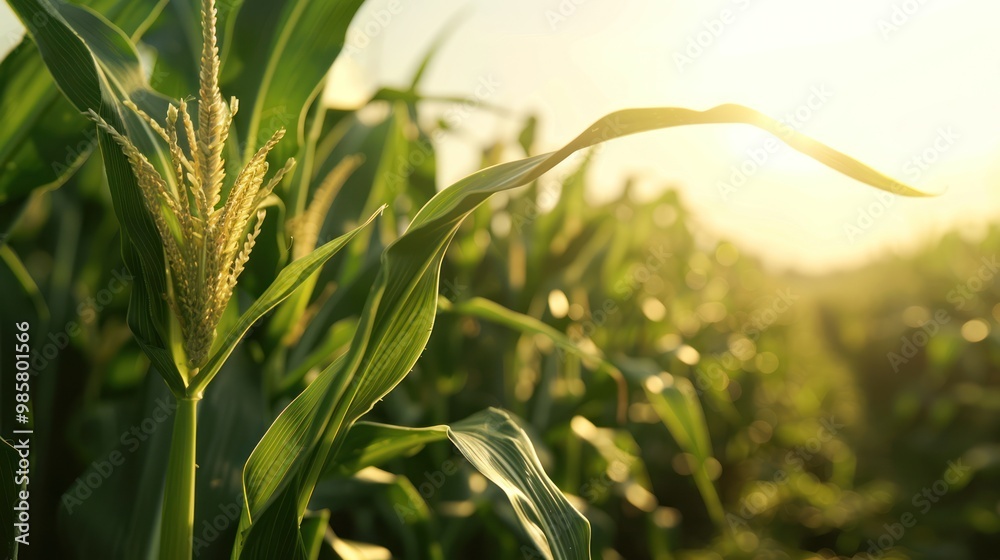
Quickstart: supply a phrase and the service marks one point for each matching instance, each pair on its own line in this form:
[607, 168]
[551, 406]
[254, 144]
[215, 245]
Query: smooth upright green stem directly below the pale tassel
[177, 523]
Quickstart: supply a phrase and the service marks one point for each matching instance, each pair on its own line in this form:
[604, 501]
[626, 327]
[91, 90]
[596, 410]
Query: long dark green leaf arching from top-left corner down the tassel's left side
[96, 65]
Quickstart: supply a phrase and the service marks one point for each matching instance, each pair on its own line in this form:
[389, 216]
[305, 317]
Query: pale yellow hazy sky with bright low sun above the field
[909, 87]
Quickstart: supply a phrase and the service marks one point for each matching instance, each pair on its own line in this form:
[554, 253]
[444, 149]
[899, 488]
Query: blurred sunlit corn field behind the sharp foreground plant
[836, 409]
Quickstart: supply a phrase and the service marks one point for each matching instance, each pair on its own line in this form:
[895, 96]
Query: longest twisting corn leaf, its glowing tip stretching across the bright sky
[399, 313]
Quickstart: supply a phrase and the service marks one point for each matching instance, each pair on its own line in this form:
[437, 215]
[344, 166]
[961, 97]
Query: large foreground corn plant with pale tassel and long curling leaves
[192, 195]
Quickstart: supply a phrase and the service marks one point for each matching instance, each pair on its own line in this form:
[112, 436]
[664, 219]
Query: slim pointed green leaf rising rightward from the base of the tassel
[289, 279]
